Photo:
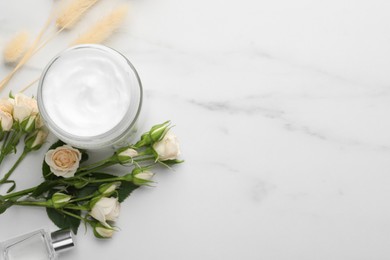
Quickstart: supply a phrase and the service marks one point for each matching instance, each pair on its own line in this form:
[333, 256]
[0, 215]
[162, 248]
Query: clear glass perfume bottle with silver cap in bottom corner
[37, 245]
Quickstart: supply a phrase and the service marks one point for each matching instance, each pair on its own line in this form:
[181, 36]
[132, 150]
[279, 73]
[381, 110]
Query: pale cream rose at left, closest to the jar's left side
[24, 107]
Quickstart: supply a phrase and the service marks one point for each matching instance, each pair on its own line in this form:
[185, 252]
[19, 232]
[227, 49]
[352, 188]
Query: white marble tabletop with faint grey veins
[282, 108]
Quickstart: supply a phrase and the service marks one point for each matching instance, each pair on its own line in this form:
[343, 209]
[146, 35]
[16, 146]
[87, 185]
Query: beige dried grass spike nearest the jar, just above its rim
[104, 28]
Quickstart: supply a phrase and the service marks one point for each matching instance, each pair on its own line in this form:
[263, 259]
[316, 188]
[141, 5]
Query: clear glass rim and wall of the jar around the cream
[116, 132]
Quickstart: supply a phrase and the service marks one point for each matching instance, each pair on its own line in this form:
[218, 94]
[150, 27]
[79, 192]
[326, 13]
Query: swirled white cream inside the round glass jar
[86, 91]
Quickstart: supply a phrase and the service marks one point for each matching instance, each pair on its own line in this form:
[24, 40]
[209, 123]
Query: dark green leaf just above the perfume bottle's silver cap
[64, 221]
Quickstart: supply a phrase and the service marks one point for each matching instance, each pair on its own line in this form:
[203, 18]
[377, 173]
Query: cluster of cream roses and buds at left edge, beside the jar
[19, 117]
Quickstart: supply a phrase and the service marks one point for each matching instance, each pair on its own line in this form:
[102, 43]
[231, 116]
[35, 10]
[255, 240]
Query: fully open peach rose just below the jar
[63, 161]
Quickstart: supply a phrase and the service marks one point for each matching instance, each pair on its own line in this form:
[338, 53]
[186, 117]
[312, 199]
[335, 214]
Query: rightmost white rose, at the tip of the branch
[168, 148]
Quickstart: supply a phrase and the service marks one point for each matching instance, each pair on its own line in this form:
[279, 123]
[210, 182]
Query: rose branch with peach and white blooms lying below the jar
[80, 192]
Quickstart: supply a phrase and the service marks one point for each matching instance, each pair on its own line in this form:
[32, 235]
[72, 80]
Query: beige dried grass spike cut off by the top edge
[73, 12]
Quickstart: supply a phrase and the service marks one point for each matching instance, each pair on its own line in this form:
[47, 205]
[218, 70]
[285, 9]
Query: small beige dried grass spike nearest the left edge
[16, 47]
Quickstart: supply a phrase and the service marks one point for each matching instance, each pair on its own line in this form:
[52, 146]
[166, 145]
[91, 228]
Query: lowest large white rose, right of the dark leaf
[106, 209]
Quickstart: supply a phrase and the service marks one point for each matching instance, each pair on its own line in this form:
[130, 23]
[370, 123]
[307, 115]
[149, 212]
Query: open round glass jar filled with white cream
[90, 97]
